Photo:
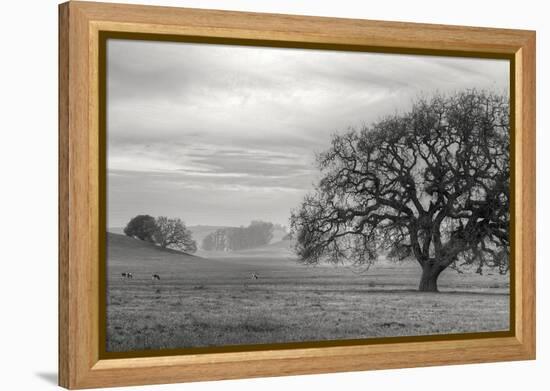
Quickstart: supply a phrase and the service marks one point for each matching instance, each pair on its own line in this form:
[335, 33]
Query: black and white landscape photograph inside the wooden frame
[264, 195]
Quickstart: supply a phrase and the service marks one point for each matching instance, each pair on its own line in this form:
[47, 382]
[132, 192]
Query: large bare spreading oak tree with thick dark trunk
[432, 184]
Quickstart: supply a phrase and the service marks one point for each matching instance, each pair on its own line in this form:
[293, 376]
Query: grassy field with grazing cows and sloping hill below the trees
[211, 300]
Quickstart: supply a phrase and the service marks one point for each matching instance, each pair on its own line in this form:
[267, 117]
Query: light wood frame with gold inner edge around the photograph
[80, 23]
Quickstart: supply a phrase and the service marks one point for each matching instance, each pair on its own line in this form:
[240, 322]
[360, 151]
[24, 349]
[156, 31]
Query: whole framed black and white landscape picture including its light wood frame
[247, 195]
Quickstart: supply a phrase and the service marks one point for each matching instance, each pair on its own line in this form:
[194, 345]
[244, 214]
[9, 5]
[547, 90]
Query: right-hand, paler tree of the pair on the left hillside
[172, 233]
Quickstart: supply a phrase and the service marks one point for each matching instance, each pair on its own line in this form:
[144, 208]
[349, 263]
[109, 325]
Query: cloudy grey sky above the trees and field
[222, 135]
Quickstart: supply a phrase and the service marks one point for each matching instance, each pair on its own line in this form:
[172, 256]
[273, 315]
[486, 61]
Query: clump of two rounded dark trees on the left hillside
[163, 231]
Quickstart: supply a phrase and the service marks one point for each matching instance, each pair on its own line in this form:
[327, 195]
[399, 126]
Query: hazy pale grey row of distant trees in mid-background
[258, 233]
